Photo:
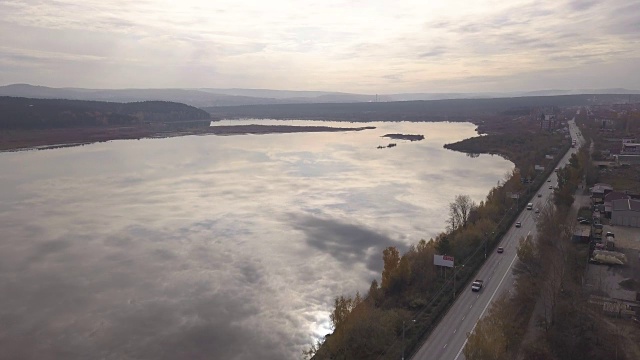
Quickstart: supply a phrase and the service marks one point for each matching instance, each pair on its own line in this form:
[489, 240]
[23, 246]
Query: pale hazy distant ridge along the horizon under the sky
[212, 97]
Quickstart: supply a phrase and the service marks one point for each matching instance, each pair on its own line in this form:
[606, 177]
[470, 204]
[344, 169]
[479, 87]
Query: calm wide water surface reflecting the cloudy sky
[217, 247]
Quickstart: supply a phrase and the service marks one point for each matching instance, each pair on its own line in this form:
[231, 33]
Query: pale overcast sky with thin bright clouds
[372, 46]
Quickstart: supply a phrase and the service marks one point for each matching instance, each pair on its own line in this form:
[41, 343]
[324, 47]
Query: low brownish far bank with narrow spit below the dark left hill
[17, 140]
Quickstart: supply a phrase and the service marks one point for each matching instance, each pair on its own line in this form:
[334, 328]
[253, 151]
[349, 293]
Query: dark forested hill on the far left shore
[26, 113]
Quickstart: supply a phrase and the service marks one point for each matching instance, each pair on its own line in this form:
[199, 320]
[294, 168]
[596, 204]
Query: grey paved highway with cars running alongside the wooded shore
[450, 336]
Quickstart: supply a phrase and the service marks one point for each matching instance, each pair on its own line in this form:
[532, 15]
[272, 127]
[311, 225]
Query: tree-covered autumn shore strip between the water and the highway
[411, 291]
